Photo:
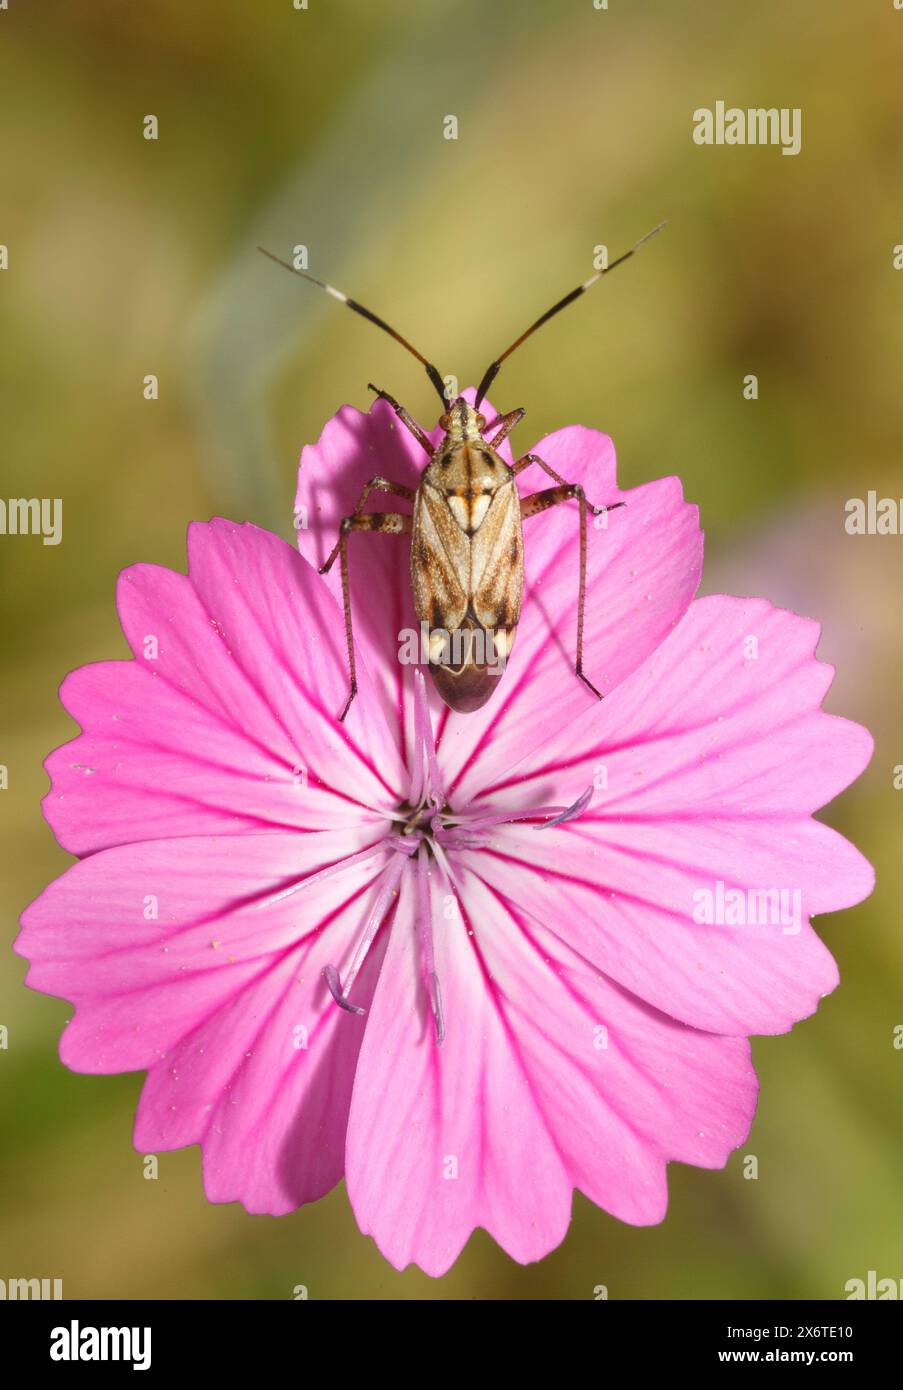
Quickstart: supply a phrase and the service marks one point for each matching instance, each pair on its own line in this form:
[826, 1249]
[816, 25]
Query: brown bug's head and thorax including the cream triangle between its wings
[465, 471]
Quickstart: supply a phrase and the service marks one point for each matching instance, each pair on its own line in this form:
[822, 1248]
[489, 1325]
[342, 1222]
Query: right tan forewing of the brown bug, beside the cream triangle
[498, 564]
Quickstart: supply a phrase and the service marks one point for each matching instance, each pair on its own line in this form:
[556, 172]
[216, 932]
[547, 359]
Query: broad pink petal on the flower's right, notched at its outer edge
[713, 764]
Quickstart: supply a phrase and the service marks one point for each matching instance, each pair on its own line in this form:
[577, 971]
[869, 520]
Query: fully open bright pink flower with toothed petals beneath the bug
[520, 885]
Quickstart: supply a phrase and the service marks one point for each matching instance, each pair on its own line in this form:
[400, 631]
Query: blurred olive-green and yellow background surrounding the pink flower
[324, 127]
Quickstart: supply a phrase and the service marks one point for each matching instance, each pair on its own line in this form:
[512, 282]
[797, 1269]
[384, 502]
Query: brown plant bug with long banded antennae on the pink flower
[466, 526]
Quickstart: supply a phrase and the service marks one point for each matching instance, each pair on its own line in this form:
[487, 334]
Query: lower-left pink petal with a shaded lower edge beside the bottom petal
[209, 997]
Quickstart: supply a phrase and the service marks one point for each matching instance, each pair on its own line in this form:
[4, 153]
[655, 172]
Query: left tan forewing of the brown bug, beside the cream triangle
[441, 562]
